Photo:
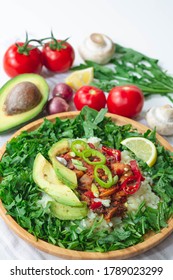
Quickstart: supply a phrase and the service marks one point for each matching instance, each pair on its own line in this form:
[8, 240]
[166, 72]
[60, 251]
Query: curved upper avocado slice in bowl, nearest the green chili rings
[64, 174]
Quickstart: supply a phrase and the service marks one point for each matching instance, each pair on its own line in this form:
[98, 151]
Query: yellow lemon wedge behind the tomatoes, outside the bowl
[80, 78]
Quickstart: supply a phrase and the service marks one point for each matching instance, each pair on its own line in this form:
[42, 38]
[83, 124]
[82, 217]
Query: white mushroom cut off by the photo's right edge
[161, 118]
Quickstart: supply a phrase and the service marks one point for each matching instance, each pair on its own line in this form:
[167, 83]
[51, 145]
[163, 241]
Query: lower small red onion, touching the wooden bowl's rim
[57, 105]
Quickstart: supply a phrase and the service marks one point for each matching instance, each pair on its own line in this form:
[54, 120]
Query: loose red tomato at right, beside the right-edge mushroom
[126, 101]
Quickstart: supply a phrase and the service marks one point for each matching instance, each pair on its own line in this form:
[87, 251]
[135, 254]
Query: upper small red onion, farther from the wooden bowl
[63, 90]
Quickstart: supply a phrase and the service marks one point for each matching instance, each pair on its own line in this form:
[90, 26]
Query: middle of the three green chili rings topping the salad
[88, 153]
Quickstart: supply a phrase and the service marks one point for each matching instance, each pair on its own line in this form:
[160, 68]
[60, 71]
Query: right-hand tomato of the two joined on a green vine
[58, 57]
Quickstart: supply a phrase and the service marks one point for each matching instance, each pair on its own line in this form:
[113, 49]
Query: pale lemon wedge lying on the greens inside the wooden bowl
[142, 148]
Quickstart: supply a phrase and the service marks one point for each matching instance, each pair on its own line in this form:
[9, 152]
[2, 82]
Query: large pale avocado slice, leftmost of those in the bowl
[45, 177]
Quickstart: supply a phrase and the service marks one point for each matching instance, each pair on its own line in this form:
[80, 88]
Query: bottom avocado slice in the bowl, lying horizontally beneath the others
[65, 212]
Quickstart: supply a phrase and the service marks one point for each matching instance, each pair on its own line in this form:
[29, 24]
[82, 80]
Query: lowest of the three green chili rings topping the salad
[105, 184]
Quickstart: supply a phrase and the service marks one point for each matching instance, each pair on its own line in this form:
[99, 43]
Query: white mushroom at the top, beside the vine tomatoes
[98, 48]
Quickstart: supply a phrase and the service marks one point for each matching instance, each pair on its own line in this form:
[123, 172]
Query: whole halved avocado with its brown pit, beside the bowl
[13, 118]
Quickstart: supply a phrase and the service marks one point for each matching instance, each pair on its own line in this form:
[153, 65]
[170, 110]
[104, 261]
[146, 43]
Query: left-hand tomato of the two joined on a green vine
[16, 62]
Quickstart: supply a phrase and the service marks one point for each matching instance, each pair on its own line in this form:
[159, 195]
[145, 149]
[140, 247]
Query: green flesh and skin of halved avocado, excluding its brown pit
[9, 122]
